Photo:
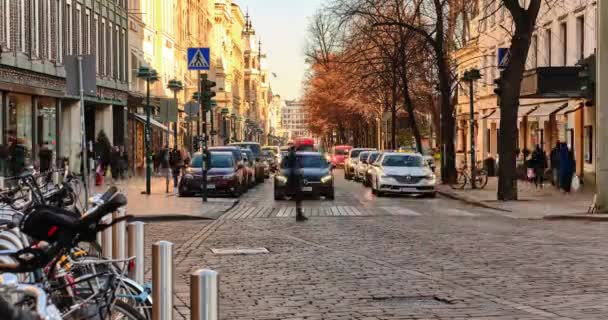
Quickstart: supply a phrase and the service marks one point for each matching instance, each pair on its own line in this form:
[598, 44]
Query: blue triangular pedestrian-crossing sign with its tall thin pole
[199, 60]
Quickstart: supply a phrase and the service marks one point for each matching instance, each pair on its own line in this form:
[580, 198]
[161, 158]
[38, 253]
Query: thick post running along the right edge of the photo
[601, 114]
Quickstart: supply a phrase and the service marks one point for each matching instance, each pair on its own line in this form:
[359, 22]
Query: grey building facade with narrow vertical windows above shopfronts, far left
[37, 113]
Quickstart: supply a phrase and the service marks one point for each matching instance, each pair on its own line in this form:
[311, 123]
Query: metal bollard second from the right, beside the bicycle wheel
[162, 280]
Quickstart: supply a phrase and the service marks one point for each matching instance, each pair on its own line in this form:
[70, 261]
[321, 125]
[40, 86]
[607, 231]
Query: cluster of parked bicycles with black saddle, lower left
[51, 262]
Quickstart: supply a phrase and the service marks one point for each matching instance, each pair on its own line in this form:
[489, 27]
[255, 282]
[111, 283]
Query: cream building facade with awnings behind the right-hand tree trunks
[565, 34]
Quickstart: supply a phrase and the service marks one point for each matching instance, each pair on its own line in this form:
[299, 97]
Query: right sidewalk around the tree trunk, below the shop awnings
[546, 203]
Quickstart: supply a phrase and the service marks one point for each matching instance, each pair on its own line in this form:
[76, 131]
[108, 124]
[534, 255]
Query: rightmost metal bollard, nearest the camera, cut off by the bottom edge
[204, 295]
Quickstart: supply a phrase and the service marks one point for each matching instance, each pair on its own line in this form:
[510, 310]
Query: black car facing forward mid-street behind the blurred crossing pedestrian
[317, 176]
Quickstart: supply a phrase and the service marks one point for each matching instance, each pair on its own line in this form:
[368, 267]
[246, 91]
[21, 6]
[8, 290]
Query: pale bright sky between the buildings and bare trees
[281, 25]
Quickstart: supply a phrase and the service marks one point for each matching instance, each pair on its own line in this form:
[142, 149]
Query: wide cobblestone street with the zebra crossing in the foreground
[392, 258]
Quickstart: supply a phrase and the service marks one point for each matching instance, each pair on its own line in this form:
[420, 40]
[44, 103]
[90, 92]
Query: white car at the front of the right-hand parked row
[402, 173]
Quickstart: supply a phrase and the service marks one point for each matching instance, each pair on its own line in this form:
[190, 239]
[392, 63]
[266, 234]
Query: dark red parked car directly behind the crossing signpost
[223, 175]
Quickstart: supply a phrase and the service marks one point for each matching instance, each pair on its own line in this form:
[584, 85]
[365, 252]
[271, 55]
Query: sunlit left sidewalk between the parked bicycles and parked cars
[160, 205]
